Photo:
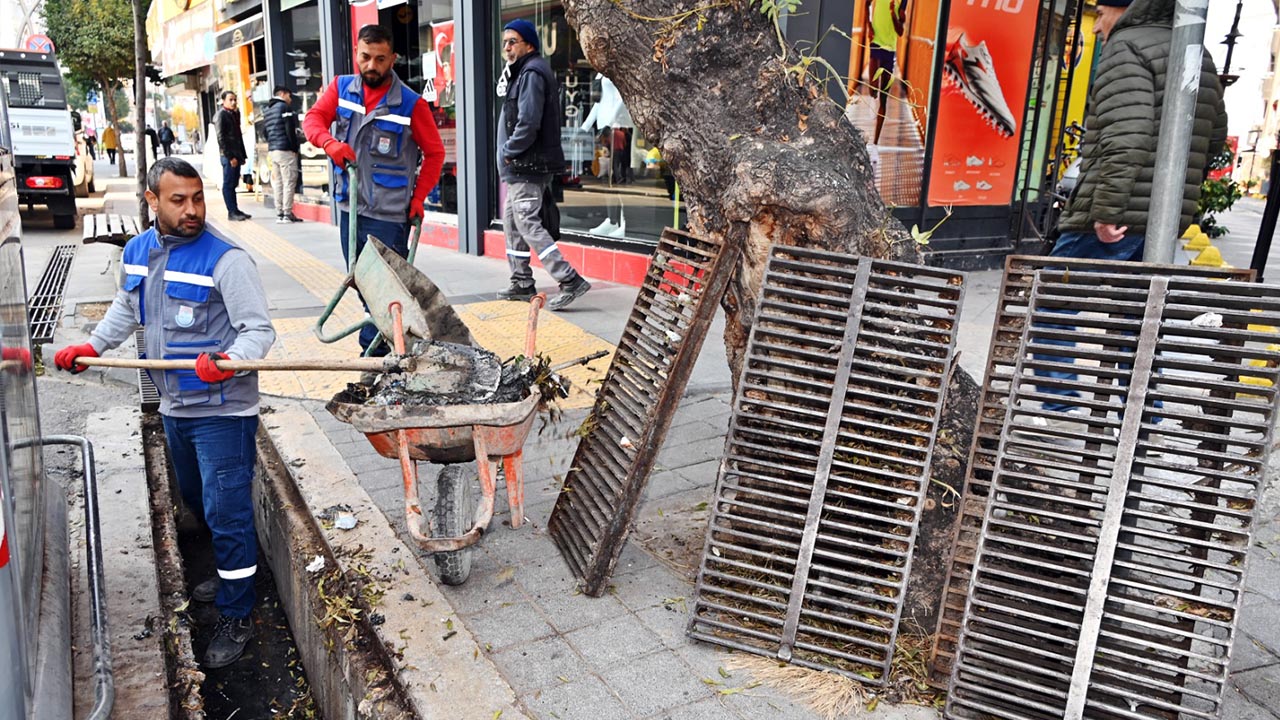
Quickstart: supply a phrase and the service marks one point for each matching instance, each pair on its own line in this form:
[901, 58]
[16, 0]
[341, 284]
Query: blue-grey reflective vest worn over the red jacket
[386, 154]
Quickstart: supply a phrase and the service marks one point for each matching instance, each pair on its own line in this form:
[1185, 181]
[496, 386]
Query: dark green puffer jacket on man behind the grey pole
[1123, 125]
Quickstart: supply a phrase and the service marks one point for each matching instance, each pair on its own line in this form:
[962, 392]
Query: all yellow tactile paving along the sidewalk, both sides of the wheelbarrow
[497, 326]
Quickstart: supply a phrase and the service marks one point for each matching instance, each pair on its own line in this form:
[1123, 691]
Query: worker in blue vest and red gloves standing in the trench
[196, 295]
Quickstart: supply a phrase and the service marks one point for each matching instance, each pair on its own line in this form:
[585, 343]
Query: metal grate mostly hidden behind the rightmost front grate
[1011, 318]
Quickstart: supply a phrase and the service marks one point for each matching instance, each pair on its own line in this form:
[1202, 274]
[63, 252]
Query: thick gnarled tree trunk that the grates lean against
[761, 153]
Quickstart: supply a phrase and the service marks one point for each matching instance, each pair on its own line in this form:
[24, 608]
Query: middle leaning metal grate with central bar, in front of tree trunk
[820, 496]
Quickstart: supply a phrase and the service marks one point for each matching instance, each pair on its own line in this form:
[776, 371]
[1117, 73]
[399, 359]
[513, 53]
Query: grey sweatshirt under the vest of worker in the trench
[237, 284]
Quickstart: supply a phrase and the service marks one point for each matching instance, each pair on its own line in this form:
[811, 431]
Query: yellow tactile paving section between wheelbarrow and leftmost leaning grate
[500, 326]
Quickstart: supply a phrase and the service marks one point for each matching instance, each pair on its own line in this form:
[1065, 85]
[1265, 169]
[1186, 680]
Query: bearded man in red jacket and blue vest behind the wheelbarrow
[386, 134]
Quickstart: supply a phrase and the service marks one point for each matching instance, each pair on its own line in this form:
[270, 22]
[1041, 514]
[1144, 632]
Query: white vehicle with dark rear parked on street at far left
[42, 133]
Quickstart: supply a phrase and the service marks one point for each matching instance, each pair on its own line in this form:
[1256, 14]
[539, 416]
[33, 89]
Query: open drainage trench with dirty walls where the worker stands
[322, 625]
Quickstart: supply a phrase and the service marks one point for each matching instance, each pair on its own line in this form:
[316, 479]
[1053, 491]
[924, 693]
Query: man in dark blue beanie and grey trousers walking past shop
[529, 157]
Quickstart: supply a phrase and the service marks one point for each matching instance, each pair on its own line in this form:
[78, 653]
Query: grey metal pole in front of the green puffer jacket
[1178, 117]
